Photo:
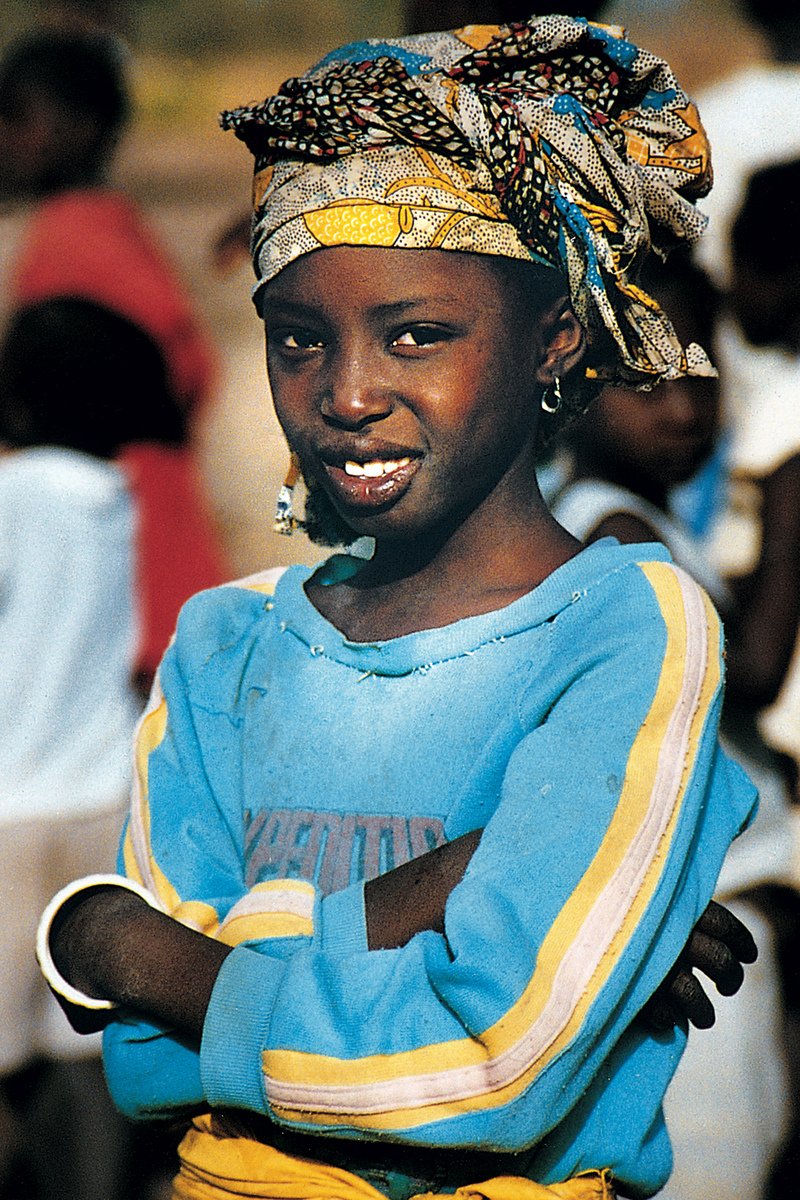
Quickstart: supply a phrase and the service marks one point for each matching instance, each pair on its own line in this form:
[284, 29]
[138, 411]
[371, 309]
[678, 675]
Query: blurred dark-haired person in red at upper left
[64, 105]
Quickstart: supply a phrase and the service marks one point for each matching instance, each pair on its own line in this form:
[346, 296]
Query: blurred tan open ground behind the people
[193, 58]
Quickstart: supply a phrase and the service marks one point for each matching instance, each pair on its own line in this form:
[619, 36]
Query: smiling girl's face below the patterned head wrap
[407, 383]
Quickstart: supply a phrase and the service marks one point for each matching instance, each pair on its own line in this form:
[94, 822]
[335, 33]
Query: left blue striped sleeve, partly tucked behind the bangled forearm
[188, 849]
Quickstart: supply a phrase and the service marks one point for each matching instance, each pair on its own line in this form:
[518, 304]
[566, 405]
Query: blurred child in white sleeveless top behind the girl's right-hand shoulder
[729, 1109]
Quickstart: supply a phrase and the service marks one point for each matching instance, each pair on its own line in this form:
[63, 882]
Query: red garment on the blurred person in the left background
[94, 245]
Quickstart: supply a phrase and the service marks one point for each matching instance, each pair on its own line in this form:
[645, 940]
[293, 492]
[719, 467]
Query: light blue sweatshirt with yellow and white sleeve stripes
[281, 765]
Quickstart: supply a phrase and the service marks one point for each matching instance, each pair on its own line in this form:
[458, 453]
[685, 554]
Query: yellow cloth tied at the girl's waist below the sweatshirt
[218, 1166]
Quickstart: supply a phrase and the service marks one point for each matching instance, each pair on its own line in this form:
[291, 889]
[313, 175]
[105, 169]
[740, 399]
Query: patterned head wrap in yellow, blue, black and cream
[554, 141]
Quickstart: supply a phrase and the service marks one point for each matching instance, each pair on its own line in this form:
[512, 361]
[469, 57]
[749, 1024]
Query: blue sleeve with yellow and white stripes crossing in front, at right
[616, 812]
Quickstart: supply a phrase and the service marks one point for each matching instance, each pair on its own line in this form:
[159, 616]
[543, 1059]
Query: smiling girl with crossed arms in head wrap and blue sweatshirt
[447, 817]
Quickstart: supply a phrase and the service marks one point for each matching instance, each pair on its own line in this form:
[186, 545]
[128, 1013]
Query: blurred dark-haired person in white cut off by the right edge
[757, 536]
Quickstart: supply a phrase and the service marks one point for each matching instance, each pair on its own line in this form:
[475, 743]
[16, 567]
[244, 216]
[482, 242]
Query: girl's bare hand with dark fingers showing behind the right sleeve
[718, 946]
